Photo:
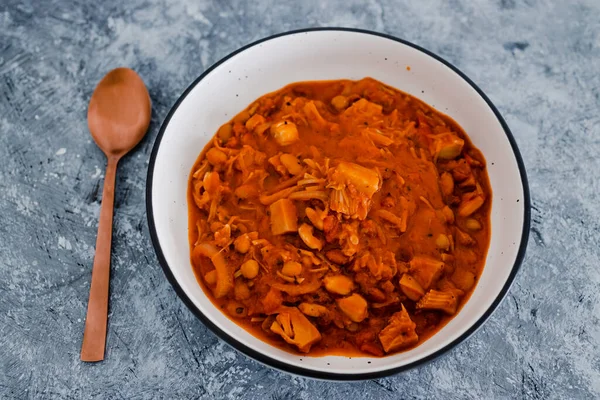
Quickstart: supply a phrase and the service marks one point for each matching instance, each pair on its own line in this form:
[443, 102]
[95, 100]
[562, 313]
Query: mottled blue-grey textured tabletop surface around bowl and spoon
[538, 60]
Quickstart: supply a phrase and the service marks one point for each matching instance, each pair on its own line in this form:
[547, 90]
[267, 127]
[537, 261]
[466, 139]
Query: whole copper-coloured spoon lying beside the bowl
[118, 118]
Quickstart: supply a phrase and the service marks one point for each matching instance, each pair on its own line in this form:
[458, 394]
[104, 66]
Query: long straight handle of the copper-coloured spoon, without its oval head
[94, 335]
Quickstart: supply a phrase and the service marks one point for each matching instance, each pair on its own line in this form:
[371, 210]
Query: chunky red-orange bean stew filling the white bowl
[339, 217]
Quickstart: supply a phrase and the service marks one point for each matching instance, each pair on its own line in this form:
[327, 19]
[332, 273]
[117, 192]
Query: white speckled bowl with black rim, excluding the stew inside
[319, 54]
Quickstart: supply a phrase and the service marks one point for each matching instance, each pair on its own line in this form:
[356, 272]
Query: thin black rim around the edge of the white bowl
[256, 355]
